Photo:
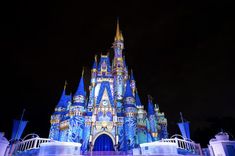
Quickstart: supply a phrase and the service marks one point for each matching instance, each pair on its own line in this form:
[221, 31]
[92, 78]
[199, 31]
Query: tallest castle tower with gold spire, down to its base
[119, 72]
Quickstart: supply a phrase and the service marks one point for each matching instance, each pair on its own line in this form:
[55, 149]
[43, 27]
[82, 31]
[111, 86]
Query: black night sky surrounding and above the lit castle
[180, 52]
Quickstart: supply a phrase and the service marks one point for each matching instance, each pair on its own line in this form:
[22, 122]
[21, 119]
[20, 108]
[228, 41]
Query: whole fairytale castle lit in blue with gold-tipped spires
[111, 116]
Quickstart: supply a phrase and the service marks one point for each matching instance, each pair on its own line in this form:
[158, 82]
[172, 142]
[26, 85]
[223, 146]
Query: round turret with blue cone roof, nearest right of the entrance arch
[130, 121]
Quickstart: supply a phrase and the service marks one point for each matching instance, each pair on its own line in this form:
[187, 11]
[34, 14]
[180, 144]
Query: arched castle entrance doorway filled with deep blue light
[103, 143]
